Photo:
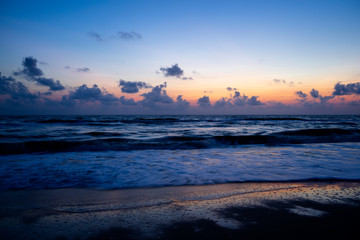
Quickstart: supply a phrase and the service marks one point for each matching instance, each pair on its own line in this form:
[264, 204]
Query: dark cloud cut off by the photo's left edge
[17, 90]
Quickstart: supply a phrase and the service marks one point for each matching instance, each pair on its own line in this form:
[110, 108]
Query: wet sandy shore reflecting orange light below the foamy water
[222, 211]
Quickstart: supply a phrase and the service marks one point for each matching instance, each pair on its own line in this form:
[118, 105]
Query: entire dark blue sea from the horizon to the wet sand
[115, 152]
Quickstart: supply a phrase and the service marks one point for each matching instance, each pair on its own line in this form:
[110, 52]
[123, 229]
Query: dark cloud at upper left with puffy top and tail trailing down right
[32, 73]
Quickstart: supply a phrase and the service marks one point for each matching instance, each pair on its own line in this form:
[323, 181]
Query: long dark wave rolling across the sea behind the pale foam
[114, 142]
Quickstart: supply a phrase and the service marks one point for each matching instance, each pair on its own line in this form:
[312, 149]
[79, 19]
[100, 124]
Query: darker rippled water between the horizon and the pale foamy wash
[122, 133]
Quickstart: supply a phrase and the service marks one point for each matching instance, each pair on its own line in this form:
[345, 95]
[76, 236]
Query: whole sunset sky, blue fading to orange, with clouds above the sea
[180, 57]
